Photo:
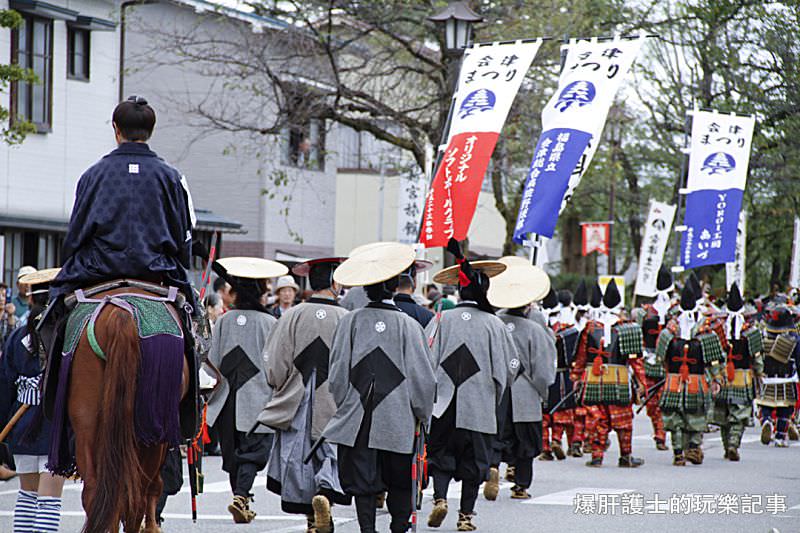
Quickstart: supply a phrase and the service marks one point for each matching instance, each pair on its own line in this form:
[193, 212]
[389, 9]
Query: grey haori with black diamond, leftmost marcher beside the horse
[237, 347]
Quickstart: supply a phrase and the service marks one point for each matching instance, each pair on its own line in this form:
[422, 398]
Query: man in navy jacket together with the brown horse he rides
[130, 240]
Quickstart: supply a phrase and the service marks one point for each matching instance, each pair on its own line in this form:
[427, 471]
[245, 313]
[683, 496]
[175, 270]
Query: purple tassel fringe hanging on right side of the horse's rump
[158, 395]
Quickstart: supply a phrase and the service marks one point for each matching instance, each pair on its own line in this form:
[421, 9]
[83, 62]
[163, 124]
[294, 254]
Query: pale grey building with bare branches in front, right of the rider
[229, 171]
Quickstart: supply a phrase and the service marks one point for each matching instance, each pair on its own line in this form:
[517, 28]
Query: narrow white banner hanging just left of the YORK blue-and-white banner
[654, 243]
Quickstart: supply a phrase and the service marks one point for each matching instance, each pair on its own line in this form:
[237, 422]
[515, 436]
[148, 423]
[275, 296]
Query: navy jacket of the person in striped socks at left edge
[31, 434]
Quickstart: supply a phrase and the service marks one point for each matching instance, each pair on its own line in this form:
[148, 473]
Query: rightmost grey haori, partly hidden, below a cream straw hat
[536, 370]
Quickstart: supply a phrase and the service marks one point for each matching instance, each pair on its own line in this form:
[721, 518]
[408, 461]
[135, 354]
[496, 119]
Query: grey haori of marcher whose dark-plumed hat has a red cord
[473, 356]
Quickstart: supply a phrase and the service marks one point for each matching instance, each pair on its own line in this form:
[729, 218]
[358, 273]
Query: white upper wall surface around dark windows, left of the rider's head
[38, 177]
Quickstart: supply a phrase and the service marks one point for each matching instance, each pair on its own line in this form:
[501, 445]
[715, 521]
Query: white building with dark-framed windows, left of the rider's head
[73, 47]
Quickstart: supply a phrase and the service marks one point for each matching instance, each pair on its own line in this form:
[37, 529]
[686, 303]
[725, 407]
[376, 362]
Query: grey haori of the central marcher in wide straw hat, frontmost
[380, 358]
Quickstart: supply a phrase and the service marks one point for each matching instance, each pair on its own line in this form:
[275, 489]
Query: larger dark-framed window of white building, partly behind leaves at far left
[32, 48]
